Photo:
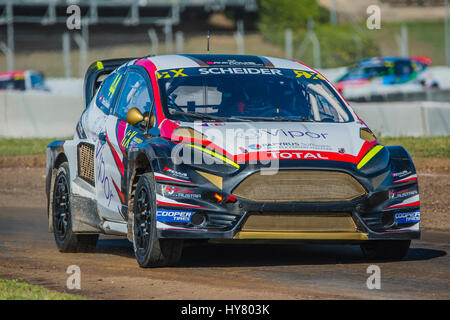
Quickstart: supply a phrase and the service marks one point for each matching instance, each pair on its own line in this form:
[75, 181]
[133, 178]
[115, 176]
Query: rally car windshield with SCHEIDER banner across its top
[249, 94]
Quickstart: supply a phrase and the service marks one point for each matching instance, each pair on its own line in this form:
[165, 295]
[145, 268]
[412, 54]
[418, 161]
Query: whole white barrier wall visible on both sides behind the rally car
[42, 114]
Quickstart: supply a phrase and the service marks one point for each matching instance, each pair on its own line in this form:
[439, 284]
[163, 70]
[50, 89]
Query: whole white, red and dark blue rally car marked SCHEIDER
[182, 147]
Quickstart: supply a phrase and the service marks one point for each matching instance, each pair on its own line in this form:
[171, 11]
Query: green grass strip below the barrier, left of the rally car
[21, 147]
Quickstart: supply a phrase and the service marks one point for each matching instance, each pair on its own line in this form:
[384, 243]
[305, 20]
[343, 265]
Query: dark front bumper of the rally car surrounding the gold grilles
[371, 213]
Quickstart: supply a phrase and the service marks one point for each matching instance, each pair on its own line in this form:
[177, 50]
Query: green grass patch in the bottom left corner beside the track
[21, 290]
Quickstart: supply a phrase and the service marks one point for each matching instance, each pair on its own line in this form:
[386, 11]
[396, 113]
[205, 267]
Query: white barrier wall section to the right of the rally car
[414, 119]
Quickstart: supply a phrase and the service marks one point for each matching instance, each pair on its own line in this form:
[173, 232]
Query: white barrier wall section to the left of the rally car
[38, 114]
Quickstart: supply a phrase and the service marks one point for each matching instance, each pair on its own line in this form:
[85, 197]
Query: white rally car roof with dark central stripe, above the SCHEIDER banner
[223, 60]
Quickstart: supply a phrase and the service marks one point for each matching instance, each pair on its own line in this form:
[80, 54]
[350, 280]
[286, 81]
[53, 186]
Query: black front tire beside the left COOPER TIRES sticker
[148, 249]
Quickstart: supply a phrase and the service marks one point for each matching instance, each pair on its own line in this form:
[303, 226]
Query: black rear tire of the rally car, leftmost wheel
[66, 240]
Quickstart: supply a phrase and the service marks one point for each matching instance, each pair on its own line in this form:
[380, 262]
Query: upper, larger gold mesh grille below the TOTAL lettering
[300, 185]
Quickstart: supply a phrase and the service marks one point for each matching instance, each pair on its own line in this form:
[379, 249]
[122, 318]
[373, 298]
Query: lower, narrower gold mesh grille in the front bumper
[300, 222]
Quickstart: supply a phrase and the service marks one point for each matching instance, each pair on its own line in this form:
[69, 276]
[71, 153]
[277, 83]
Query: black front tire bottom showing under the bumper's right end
[385, 249]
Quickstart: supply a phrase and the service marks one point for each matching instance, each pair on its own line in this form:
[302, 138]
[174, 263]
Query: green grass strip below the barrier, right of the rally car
[423, 147]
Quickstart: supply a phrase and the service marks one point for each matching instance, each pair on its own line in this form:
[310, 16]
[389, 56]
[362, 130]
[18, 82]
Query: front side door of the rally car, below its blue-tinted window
[119, 137]
